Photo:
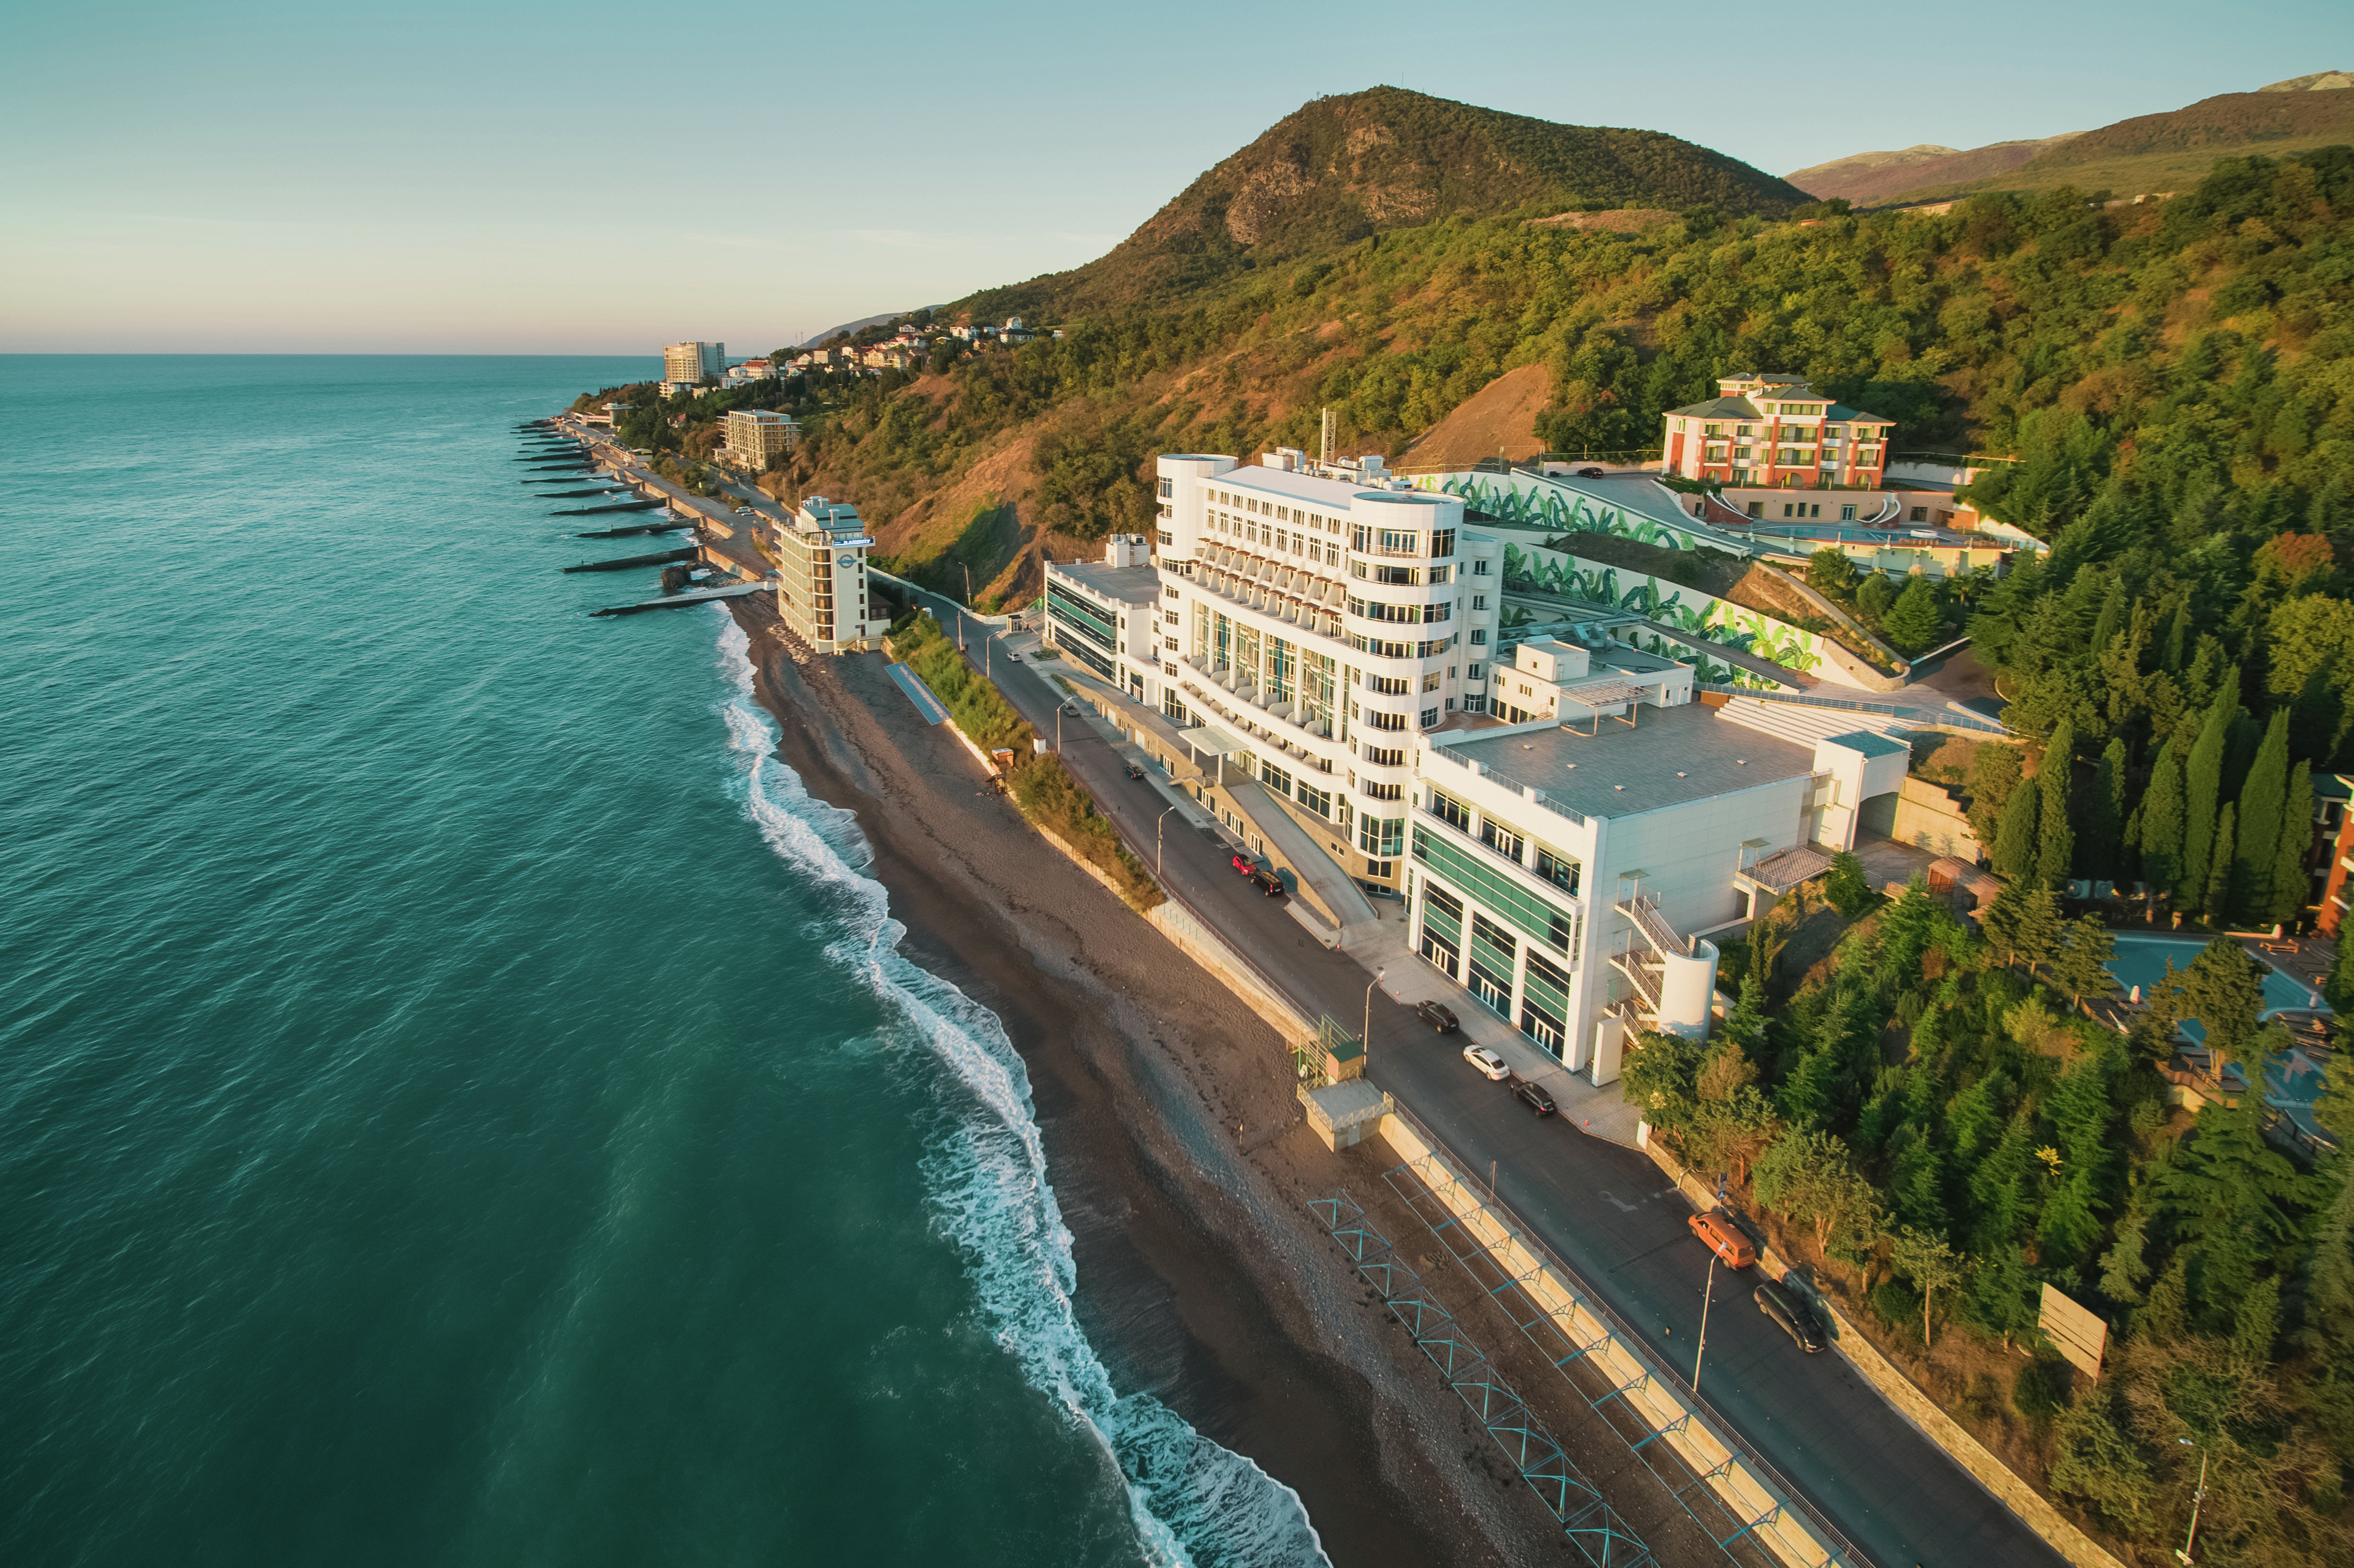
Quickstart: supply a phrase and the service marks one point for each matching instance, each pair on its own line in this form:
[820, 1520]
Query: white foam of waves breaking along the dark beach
[1192, 1501]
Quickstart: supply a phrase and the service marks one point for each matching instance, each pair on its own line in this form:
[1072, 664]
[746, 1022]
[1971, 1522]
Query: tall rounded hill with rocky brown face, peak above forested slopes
[1348, 168]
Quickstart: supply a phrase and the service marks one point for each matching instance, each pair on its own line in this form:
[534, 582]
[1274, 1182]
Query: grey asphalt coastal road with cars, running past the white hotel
[1600, 1207]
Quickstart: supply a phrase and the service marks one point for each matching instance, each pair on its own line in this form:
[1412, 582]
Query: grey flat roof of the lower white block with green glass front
[1673, 757]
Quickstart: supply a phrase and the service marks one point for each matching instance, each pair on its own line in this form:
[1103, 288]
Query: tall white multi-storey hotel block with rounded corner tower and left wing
[1301, 625]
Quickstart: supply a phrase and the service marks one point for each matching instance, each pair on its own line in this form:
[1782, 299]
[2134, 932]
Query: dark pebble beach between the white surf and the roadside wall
[1202, 1277]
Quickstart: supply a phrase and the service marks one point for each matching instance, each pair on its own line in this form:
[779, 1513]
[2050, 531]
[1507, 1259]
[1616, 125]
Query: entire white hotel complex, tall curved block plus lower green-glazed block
[1312, 656]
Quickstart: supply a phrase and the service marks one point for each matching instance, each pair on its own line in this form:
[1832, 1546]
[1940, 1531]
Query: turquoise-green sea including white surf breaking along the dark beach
[460, 1098]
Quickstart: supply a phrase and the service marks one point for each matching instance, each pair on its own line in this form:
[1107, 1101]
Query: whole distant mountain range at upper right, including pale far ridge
[2167, 152]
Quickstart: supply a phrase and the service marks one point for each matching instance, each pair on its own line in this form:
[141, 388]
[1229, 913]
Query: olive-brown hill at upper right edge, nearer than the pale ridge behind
[2169, 152]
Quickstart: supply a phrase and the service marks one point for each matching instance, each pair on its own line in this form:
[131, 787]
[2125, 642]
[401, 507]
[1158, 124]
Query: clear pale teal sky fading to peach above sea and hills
[601, 180]
